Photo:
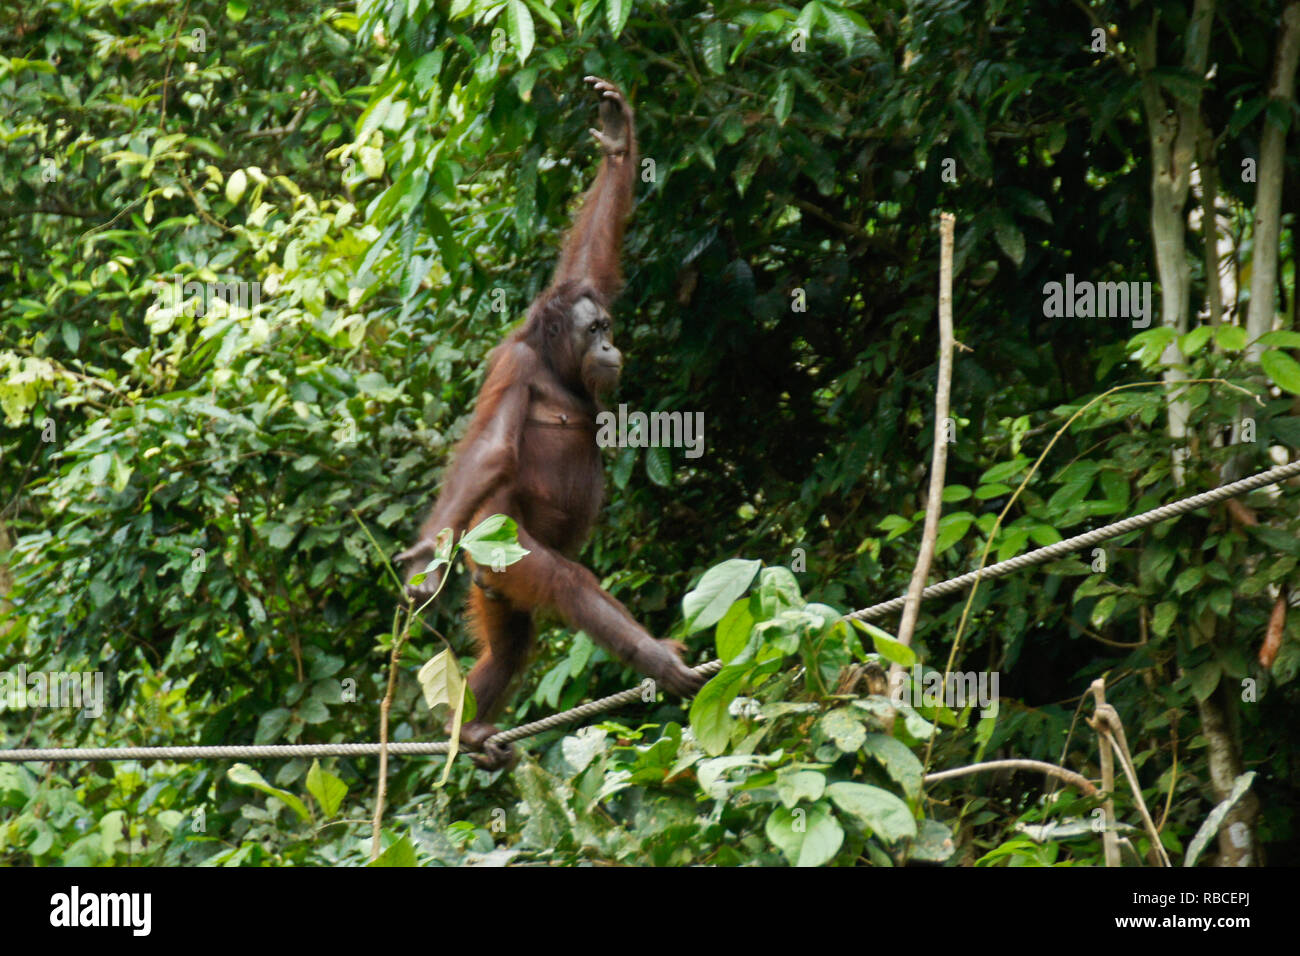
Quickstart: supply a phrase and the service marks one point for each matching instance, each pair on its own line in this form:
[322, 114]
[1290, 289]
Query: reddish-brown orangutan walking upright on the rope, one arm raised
[531, 453]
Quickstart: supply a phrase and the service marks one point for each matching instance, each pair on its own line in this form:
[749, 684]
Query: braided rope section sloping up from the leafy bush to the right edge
[1081, 542]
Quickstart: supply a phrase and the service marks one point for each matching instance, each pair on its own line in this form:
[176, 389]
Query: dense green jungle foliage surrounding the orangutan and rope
[198, 495]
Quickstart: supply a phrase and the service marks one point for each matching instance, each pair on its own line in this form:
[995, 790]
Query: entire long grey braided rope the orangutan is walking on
[634, 694]
